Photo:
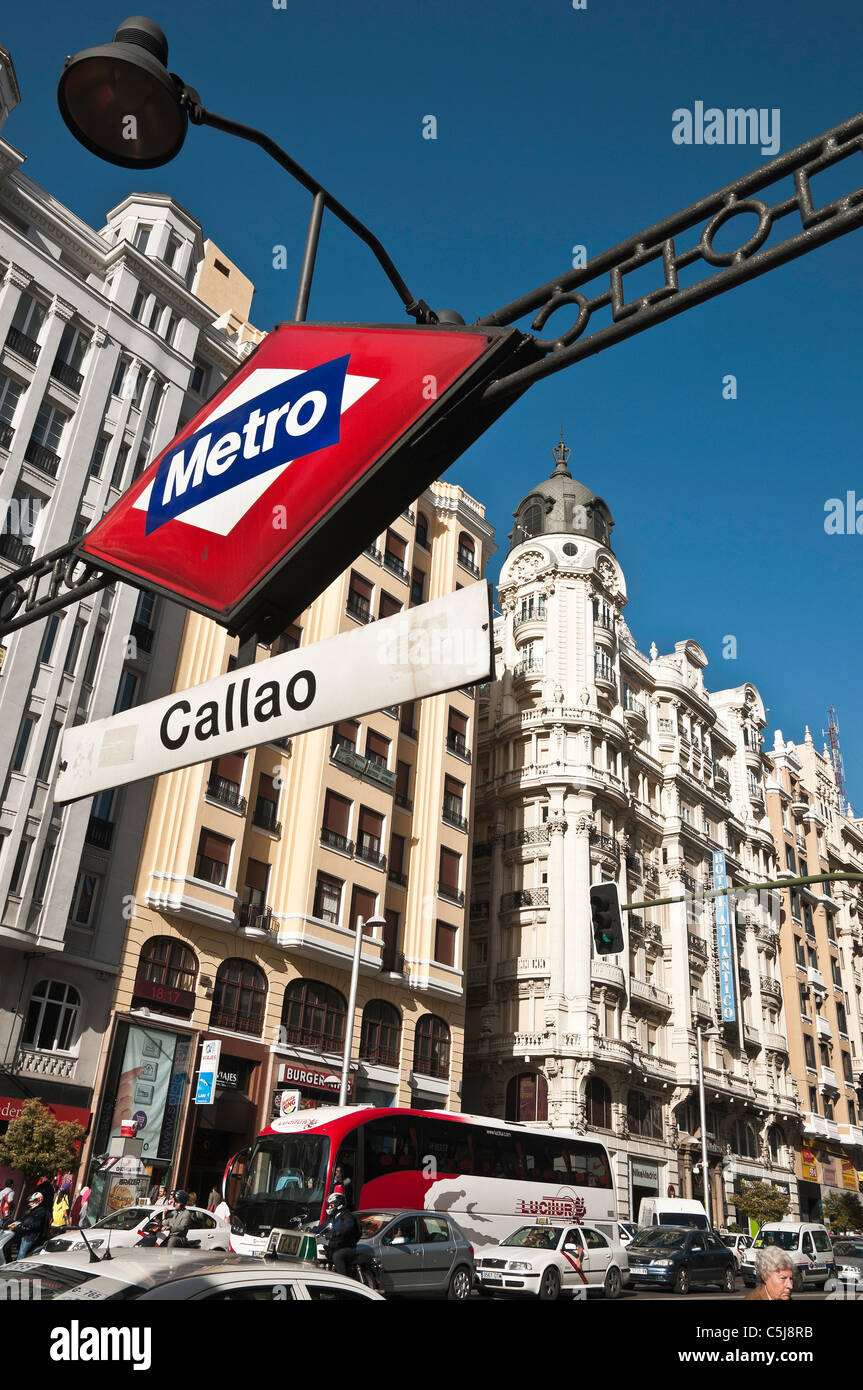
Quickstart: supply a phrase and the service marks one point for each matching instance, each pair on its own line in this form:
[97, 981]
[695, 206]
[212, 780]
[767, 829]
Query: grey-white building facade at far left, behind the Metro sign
[106, 352]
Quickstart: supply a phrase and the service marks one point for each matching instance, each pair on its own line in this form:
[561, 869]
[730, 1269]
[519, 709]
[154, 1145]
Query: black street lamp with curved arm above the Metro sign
[123, 105]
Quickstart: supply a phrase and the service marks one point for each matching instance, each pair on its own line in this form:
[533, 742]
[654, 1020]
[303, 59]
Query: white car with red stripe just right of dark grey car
[548, 1260]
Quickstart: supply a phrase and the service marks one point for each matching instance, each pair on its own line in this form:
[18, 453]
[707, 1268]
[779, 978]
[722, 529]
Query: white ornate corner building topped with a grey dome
[600, 762]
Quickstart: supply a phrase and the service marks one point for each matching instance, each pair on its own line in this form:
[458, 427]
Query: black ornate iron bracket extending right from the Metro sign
[661, 244]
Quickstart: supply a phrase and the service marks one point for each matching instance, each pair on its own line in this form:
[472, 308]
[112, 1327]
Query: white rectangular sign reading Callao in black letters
[426, 651]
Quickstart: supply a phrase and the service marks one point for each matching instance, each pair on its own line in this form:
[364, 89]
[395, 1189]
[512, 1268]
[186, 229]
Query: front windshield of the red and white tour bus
[287, 1178]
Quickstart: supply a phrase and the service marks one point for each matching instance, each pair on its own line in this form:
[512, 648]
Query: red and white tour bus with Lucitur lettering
[491, 1177]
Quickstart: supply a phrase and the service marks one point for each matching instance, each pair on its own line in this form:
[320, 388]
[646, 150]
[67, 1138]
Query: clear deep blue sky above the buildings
[555, 130]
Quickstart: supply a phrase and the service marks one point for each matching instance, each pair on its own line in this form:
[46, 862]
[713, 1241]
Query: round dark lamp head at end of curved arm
[120, 101]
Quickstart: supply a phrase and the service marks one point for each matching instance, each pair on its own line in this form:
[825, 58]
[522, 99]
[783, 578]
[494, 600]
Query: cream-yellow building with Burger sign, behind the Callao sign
[255, 869]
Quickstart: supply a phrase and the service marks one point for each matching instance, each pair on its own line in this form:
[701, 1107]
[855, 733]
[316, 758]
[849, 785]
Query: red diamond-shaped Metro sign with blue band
[323, 436]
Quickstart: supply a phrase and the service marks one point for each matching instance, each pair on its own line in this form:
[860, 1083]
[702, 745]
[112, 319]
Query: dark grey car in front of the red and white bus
[419, 1253]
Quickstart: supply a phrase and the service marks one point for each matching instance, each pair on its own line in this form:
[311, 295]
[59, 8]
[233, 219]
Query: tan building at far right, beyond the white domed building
[821, 949]
